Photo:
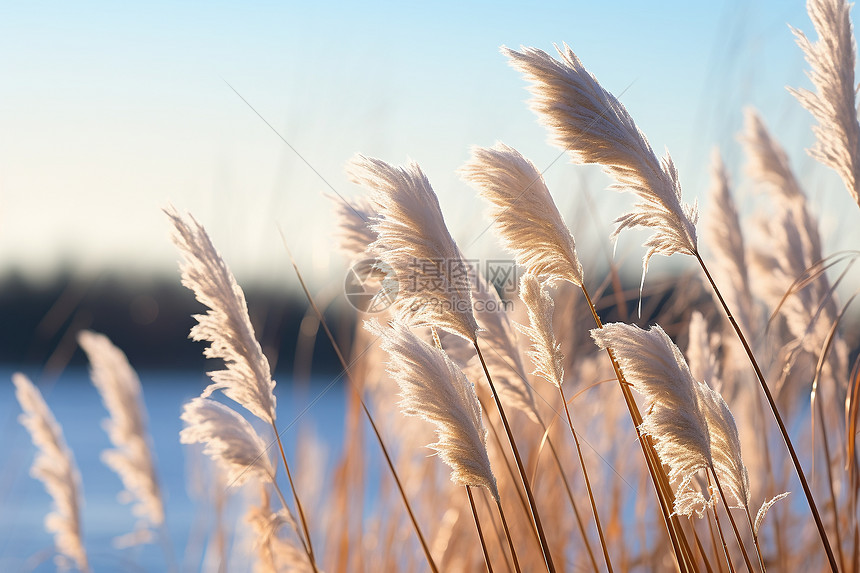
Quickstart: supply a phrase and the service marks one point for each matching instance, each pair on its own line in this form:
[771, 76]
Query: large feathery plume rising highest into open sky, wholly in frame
[594, 127]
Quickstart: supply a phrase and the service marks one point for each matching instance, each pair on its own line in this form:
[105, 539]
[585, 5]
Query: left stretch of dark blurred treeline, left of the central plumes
[149, 319]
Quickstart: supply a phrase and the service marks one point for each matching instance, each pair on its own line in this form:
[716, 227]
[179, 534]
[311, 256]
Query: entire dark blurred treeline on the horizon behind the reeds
[149, 318]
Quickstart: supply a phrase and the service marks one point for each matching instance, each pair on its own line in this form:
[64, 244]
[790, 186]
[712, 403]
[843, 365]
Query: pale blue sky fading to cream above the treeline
[110, 111]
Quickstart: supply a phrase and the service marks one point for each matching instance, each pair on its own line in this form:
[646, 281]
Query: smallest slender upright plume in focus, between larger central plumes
[546, 351]
